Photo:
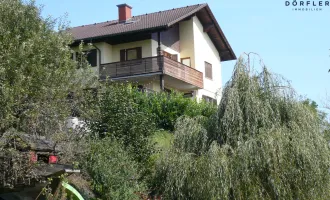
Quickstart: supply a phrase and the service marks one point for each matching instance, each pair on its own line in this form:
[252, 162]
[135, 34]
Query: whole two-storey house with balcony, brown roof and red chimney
[180, 49]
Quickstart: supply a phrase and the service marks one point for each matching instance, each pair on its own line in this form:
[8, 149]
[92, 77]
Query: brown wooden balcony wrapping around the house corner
[174, 72]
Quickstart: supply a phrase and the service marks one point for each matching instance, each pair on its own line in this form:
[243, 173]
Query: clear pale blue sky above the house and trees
[294, 44]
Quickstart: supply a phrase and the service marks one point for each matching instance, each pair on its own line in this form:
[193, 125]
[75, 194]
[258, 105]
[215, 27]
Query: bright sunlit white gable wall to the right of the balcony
[204, 50]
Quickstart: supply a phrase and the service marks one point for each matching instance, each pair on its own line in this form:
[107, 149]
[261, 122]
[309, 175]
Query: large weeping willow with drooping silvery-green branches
[263, 143]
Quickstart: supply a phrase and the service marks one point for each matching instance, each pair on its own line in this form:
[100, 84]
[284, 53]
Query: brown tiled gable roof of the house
[156, 21]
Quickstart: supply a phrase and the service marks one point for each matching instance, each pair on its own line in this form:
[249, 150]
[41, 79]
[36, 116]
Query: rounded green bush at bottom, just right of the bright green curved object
[114, 173]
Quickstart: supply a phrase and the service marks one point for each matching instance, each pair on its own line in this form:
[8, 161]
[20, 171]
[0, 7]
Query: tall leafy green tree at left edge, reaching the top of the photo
[36, 75]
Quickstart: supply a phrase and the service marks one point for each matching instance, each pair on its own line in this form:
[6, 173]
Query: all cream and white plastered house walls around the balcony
[187, 39]
